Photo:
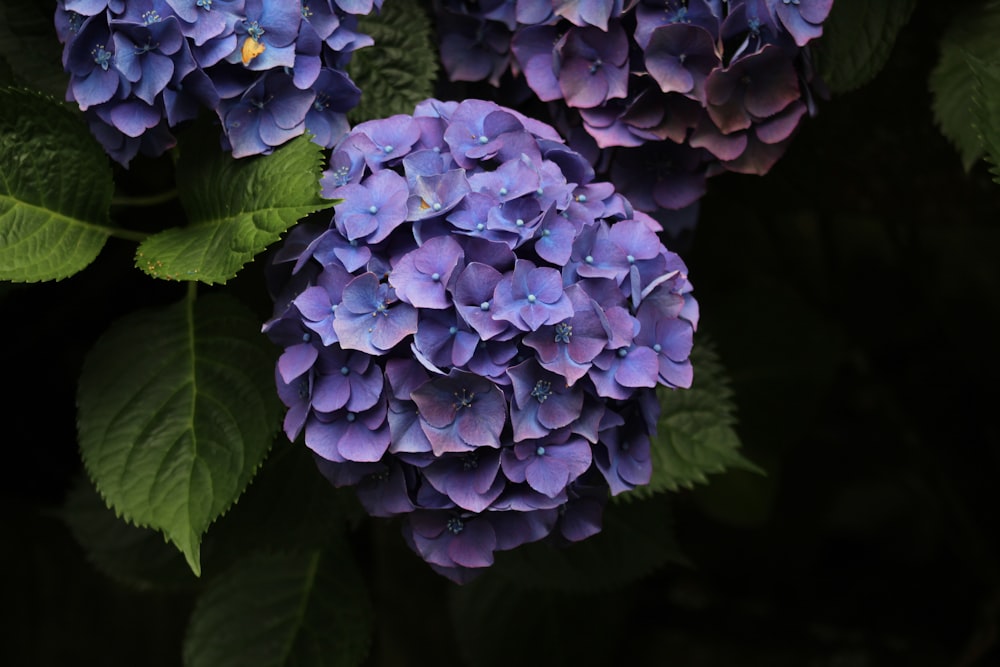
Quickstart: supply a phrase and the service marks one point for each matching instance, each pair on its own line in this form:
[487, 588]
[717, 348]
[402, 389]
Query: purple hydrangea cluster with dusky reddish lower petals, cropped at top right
[681, 89]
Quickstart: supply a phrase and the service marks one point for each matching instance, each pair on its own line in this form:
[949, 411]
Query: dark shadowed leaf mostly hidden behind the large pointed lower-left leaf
[137, 557]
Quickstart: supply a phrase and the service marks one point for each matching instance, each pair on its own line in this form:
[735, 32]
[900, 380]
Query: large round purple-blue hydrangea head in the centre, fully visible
[475, 338]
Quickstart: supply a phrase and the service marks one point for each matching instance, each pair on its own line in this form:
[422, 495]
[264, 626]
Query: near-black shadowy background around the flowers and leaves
[852, 295]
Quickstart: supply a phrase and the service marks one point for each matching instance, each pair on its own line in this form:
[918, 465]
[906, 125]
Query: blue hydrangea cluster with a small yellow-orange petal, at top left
[270, 70]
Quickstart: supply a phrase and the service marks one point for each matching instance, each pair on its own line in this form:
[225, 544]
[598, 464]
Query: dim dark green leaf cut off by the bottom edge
[286, 610]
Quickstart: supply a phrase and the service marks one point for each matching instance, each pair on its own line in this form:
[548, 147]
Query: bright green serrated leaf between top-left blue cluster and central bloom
[236, 208]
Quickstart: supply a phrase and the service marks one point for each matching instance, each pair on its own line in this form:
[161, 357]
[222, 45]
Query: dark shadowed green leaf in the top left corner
[29, 44]
